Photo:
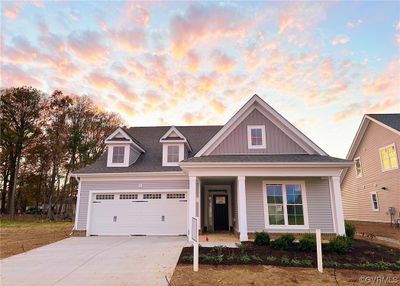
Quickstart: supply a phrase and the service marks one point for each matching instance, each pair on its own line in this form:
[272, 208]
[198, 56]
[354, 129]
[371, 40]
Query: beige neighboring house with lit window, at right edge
[371, 187]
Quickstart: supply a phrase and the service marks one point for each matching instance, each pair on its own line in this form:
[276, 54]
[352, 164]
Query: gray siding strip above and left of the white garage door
[123, 185]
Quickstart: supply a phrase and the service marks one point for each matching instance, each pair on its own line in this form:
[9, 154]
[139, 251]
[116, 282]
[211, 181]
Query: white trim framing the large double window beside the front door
[304, 201]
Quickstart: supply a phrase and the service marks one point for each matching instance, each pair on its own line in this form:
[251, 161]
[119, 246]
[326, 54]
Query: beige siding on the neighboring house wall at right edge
[356, 192]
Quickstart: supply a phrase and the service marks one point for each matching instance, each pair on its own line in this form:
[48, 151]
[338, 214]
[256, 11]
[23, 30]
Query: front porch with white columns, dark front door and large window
[237, 206]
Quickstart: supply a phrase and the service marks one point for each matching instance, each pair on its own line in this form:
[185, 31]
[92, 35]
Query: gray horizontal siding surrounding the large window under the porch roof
[318, 204]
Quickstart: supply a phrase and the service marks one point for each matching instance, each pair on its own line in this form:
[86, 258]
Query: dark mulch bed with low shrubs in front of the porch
[364, 255]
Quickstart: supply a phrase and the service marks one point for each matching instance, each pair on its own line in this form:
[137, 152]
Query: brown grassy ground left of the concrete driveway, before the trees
[18, 237]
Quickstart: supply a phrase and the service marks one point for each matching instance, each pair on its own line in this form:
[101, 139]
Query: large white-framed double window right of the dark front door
[285, 204]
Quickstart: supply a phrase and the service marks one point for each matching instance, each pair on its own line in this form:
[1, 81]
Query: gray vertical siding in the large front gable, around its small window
[277, 142]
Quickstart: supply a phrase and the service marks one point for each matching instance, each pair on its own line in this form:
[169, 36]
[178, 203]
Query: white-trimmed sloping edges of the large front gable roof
[257, 103]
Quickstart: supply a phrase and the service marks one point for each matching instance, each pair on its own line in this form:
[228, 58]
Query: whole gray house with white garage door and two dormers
[257, 172]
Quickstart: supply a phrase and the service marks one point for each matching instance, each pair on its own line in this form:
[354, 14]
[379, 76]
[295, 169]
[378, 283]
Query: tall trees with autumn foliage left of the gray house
[44, 138]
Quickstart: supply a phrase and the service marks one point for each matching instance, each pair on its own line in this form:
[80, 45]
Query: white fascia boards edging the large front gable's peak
[239, 115]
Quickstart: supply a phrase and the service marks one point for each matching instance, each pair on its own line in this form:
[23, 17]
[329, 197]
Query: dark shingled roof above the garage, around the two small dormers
[151, 161]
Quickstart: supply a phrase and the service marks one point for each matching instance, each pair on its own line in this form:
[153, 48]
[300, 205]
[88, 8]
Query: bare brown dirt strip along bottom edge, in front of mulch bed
[271, 275]
